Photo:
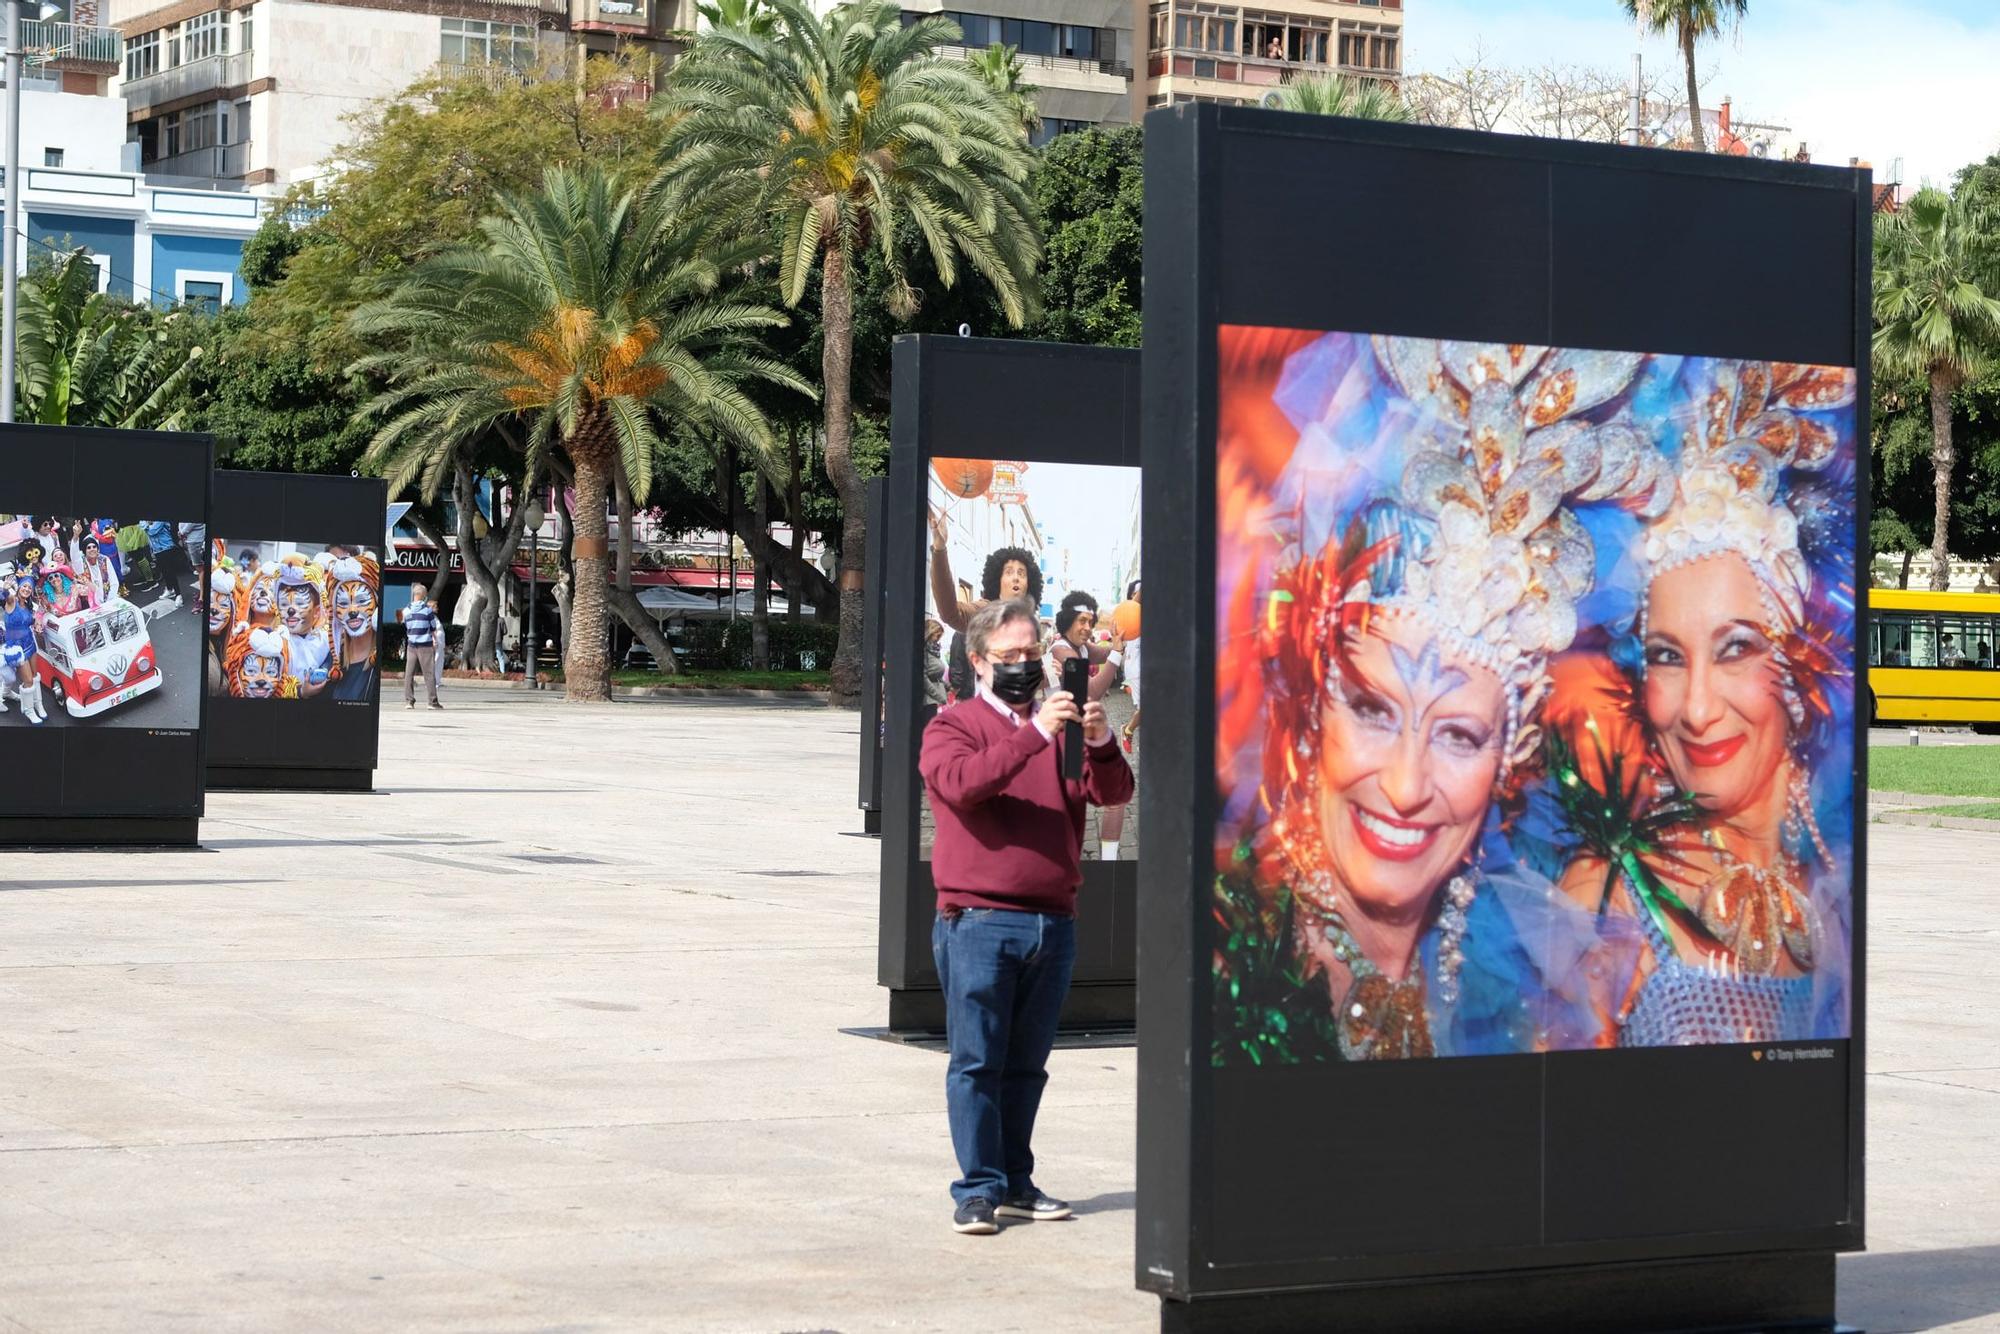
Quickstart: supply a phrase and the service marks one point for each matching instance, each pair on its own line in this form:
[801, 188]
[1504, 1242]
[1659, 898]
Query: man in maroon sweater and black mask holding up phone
[1007, 861]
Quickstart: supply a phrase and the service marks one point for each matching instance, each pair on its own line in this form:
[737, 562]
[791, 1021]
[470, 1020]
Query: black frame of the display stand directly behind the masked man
[987, 399]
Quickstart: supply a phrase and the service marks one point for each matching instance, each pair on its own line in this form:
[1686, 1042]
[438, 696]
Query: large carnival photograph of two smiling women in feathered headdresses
[1535, 699]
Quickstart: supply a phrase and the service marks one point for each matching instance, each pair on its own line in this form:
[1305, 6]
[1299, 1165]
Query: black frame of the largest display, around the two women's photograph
[1469, 237]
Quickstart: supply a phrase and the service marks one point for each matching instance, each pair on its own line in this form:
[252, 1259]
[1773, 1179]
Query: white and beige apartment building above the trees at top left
[257, 93]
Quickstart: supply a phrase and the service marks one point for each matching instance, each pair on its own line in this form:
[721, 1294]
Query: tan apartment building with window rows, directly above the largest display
[1203, 51]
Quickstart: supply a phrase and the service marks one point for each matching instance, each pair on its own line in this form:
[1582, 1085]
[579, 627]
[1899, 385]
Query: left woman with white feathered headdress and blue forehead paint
[1421, 561]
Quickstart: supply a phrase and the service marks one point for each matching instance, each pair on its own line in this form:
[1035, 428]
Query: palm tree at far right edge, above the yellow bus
[1937, 275]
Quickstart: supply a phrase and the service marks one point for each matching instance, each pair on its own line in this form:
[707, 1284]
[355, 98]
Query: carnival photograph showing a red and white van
[99, 623]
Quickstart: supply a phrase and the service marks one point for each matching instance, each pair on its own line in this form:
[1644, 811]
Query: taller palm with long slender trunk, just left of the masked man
[823, 139]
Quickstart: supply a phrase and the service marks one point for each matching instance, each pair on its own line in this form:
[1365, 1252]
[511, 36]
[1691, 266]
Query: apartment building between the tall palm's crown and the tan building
[1079, 55]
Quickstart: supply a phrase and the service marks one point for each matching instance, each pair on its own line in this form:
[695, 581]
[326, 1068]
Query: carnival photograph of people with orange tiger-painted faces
[295, 621]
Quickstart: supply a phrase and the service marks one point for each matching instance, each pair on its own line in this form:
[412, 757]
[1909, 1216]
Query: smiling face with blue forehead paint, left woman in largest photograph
[1409, 761]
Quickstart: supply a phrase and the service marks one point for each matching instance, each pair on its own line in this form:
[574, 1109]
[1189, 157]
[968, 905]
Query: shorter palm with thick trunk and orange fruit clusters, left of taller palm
[585, 315]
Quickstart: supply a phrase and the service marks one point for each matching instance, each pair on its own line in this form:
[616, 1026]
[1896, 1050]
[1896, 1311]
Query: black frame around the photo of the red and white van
[123, 473]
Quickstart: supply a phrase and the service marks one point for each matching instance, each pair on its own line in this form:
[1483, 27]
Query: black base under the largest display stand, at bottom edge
[1739, 1295]
